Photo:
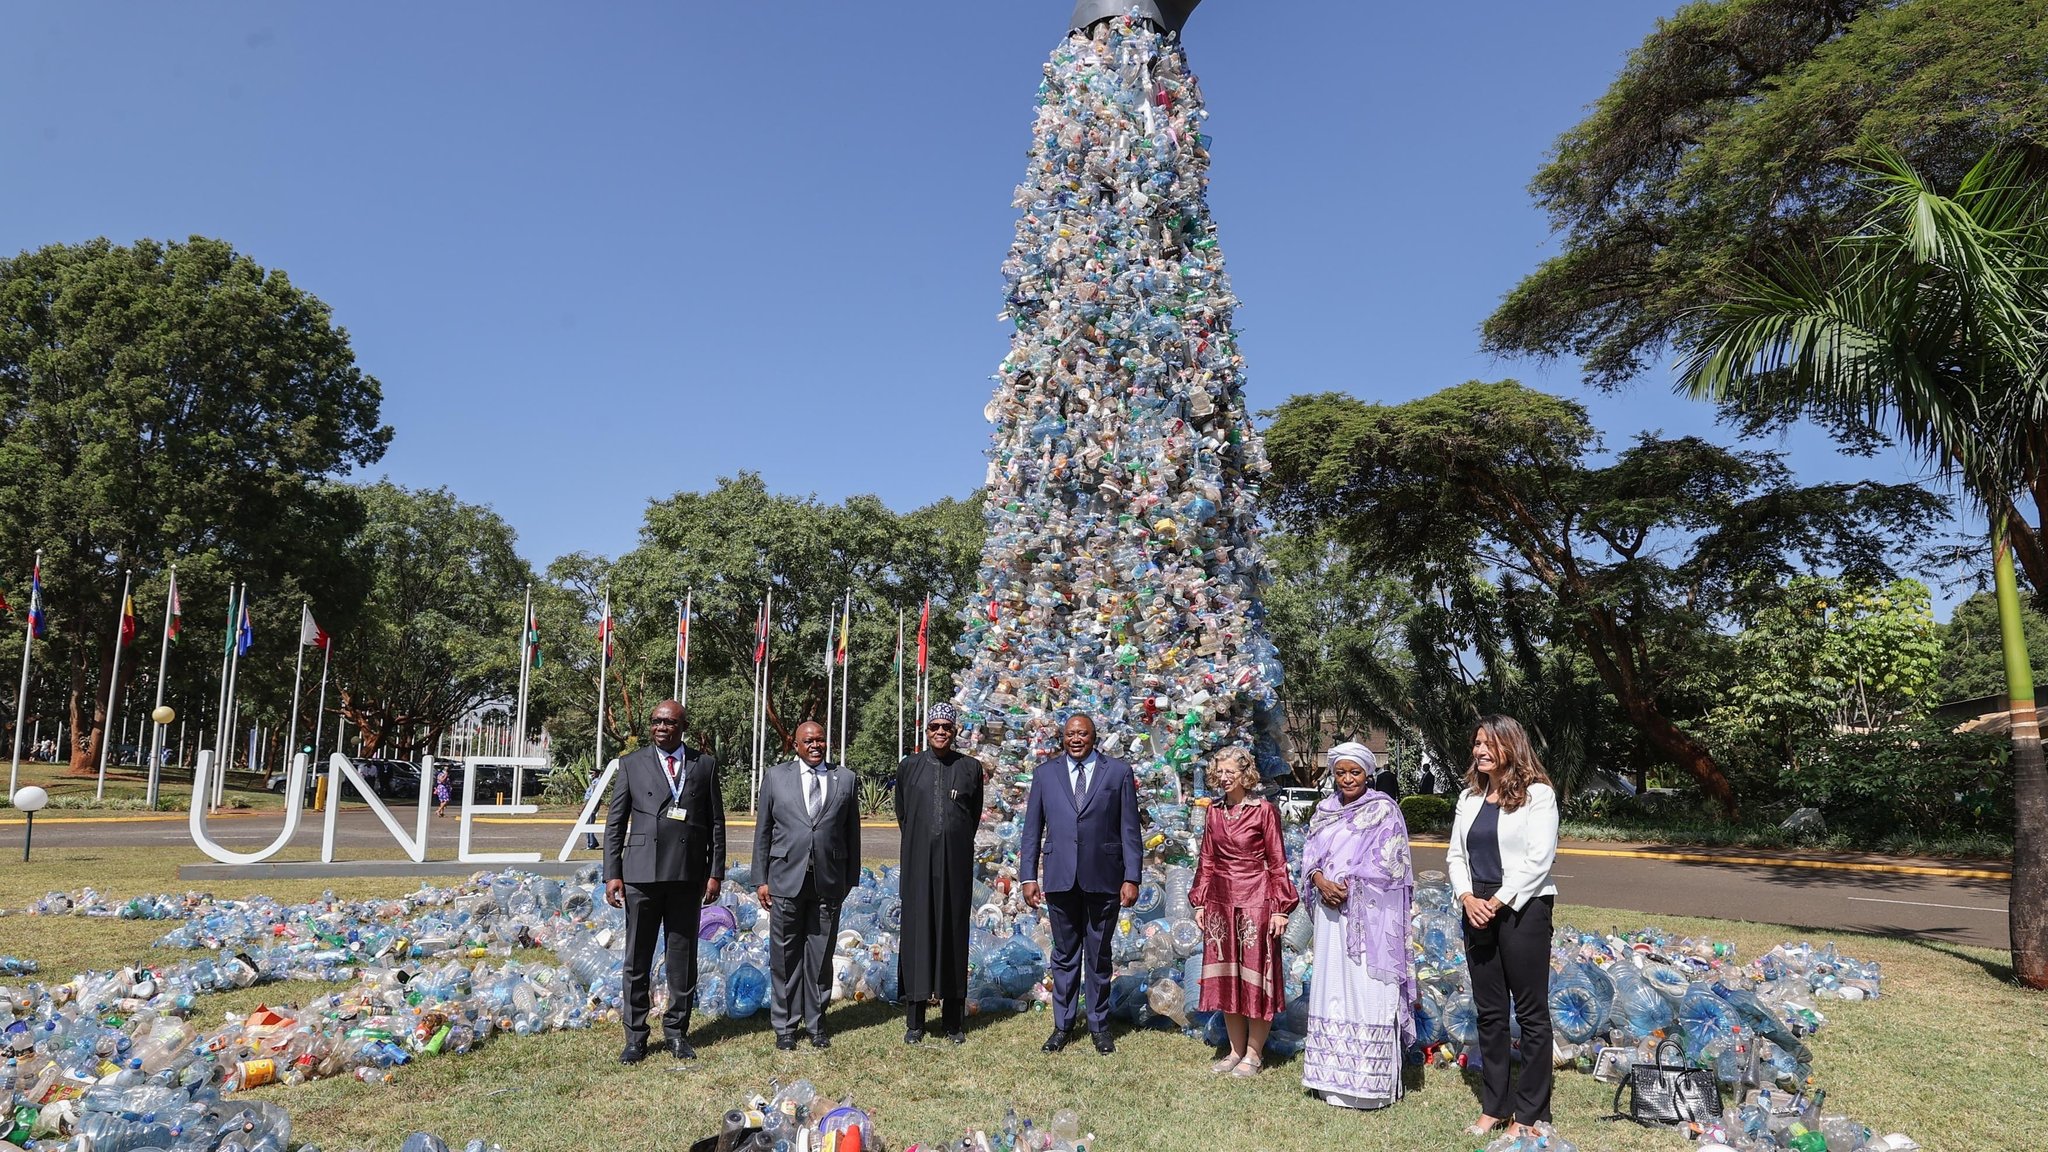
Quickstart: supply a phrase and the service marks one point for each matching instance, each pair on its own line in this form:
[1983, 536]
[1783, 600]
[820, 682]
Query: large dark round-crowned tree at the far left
[171, 405]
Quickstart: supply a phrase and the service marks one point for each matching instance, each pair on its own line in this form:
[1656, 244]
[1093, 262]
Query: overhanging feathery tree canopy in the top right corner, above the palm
[1734, 134]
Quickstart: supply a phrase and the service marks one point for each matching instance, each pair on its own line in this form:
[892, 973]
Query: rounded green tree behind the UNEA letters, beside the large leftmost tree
[437, 636]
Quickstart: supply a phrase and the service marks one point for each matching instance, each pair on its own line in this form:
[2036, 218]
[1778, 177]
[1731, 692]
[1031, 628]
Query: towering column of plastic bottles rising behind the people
[1121, 569]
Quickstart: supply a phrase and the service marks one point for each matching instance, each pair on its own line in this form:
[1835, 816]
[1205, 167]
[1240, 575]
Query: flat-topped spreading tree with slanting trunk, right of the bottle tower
[1641, 554]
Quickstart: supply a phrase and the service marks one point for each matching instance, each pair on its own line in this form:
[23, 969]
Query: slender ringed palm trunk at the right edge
[2029, 899]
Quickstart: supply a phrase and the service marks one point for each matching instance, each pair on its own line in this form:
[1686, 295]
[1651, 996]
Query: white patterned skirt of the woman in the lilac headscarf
[1353, 1053]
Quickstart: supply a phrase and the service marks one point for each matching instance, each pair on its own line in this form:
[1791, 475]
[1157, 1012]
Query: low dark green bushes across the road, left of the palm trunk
[1920, 780]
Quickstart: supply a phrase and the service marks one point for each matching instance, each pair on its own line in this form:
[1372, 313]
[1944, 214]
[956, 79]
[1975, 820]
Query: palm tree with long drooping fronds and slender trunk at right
[1930, 325]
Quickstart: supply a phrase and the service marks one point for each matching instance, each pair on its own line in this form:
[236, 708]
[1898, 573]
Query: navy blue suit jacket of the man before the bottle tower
[1091, 844]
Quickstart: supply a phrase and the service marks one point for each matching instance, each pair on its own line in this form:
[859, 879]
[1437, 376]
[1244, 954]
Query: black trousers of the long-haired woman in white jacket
[1512, 958]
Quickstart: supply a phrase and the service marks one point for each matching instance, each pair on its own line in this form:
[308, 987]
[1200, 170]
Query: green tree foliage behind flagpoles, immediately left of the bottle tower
[726, 548]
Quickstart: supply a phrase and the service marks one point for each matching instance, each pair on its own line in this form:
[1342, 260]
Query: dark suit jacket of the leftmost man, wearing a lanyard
[646, 848]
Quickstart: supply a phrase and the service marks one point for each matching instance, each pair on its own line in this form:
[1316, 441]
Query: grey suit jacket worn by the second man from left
[790, 844]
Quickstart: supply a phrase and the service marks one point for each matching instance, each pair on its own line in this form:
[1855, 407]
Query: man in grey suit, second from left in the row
[806, 858]
